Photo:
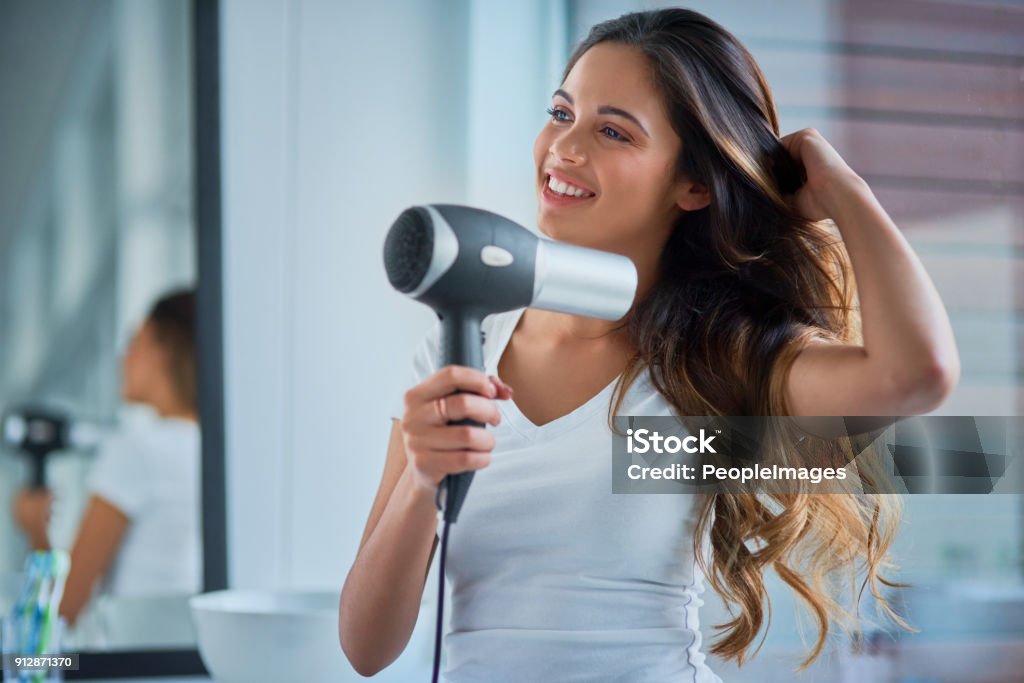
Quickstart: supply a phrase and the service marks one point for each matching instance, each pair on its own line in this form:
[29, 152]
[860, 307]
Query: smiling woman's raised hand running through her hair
[827, 174]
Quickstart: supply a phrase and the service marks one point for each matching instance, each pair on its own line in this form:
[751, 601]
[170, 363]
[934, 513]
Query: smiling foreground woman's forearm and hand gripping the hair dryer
[382, 594]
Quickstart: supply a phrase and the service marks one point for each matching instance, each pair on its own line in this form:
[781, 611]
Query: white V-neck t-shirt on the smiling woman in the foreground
[553, 578]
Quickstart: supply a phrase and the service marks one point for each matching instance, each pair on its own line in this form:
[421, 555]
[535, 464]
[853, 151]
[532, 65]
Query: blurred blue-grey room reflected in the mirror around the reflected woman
[96, 223]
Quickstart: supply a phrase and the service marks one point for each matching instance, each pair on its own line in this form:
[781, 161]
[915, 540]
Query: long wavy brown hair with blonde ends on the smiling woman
[744, 285]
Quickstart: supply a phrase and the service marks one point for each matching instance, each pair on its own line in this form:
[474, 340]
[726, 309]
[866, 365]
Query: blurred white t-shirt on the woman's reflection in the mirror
[151, 473]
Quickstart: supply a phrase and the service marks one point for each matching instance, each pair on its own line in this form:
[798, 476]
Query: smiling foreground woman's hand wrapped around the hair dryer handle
[436, 449]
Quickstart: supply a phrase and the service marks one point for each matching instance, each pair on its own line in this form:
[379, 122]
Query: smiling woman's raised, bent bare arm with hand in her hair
[909, 363]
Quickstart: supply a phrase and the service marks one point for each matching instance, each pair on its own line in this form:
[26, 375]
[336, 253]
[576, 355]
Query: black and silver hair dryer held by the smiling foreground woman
[467, 264]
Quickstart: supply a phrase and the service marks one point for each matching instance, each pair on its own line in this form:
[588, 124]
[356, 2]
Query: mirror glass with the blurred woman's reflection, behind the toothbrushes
[101, 453]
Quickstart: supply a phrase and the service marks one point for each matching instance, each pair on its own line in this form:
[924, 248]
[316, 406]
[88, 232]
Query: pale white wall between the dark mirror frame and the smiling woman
[336, 117]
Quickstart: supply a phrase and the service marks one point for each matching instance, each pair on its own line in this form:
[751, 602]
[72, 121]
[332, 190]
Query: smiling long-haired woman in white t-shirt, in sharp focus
[663, 146]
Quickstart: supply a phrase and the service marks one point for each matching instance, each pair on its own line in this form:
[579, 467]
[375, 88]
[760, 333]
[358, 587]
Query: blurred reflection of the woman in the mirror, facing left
[141, 531]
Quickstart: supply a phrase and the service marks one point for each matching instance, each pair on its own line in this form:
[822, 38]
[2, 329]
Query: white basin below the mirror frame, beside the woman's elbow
[270, 636]
